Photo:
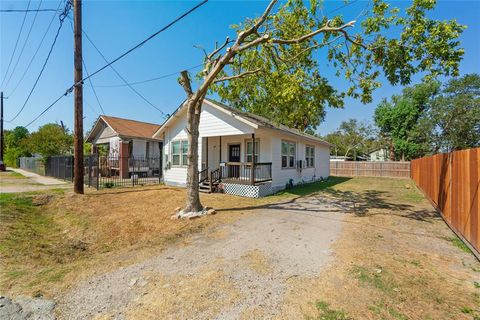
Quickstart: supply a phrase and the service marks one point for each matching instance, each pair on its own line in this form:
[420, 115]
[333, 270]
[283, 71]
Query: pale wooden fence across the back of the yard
[370, 169]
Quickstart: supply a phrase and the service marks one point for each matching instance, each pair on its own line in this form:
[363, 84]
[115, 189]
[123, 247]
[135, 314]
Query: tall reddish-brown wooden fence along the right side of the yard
[452, 182]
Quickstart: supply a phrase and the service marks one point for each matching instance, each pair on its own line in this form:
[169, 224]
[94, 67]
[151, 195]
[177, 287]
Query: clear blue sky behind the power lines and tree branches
[115, 26]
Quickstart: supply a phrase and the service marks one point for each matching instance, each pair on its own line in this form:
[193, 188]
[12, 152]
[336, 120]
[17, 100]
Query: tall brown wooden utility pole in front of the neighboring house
[78, 100]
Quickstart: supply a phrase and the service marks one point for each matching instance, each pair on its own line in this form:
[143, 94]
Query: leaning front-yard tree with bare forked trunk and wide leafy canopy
[389, 41]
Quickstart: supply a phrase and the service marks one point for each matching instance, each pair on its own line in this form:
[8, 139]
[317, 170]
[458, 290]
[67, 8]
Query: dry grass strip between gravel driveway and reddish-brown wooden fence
[394, 260]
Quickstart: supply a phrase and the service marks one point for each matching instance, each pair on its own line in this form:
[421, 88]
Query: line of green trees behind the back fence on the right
[425, 119]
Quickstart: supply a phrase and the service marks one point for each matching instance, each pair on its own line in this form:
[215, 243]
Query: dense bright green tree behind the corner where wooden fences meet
[399, 121]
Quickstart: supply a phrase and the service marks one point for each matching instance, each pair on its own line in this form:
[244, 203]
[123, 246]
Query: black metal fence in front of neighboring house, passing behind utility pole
[100, 171]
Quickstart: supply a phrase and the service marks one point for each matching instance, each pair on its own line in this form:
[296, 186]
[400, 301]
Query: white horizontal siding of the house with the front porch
[215, 123]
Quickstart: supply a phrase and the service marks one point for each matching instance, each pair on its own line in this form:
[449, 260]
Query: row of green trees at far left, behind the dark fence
[49, 140]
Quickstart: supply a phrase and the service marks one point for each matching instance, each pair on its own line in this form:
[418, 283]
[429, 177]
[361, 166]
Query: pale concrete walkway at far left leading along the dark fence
[30, 182]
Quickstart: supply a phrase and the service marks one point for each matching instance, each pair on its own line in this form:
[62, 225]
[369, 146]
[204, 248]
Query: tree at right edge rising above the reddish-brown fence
[454, 116]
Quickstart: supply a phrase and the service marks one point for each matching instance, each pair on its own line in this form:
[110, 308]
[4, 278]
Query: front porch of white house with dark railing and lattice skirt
[223, 170]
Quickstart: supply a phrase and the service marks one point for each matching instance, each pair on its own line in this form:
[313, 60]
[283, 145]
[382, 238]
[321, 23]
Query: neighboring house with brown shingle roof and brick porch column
[132, 149]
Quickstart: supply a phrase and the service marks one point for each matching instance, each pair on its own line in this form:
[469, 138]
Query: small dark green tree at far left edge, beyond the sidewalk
[16, 145]
